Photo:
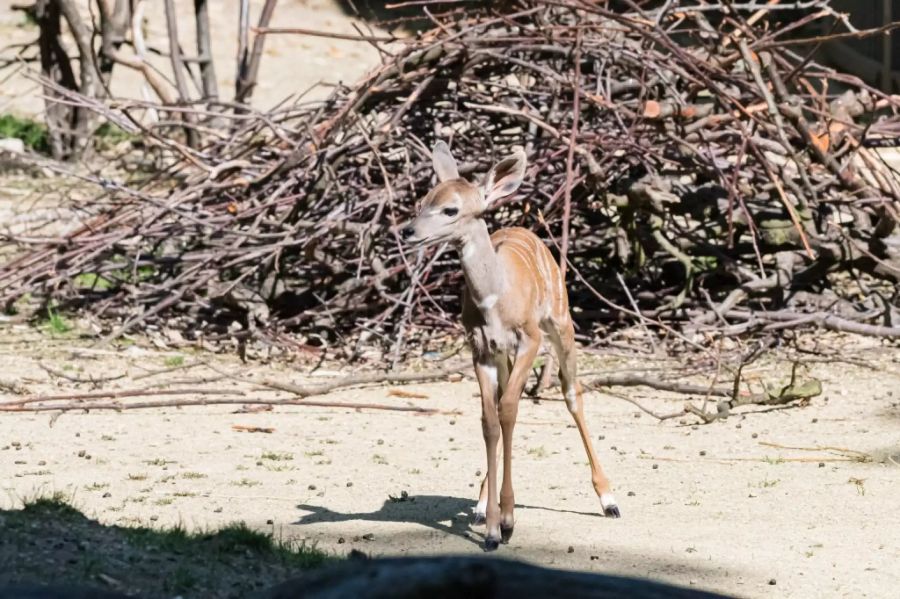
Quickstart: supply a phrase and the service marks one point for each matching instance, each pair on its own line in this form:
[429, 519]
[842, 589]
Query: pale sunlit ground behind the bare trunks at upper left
[291, 64]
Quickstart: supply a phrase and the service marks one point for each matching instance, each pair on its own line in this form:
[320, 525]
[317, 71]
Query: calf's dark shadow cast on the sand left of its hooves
[433, 511]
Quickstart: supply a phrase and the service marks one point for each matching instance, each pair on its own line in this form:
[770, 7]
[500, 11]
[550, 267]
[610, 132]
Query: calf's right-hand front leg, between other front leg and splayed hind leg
[509, 408]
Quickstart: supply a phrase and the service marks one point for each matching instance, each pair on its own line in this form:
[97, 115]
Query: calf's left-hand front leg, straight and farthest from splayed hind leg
[486, 373]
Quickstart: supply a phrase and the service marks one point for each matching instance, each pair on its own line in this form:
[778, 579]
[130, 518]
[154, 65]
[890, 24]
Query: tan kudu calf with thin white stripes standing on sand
[515, 294]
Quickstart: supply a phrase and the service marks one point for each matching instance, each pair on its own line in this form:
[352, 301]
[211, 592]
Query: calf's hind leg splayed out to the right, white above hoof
[564, 342]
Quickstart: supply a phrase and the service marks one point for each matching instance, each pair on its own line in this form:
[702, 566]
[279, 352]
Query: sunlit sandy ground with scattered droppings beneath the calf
[708, 506]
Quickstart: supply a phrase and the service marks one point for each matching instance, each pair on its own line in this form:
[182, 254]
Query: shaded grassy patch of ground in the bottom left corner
[51, 542]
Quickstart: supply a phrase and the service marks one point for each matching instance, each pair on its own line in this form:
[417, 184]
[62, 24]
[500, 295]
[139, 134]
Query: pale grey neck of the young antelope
[481, 266]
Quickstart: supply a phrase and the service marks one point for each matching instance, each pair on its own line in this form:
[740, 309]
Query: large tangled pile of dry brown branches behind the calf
[697, 171]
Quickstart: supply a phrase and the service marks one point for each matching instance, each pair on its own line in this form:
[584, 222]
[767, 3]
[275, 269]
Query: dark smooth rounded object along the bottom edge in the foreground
[467, 578]
